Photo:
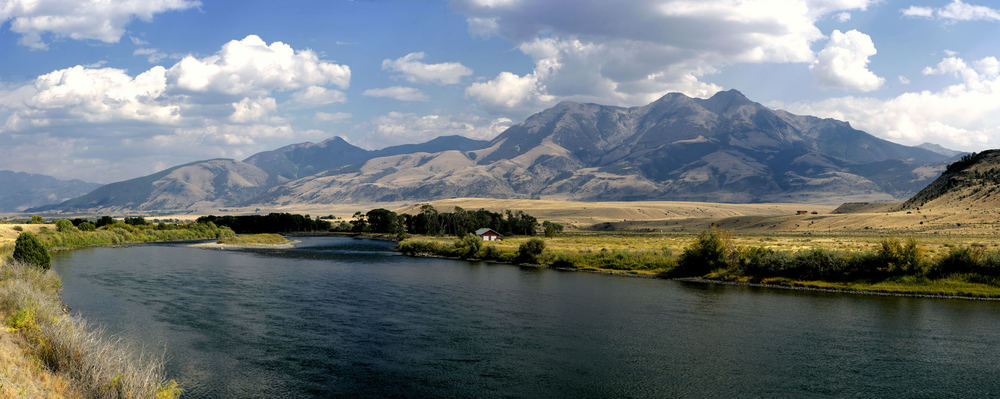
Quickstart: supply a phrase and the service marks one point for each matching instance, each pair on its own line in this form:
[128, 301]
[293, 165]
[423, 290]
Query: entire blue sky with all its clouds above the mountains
[106, 90]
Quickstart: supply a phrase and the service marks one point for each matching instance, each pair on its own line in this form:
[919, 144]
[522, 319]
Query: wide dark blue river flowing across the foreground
[341, 317]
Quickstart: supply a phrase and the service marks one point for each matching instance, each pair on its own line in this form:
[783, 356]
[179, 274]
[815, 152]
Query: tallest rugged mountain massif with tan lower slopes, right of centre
[725, 148]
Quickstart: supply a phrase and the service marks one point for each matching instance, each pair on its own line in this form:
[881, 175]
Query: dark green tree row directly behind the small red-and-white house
[431, 222]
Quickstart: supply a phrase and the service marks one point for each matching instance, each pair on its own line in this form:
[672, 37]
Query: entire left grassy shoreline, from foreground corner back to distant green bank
[50, 353]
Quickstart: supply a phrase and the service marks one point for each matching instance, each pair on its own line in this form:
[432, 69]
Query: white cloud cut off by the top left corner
[102, 20]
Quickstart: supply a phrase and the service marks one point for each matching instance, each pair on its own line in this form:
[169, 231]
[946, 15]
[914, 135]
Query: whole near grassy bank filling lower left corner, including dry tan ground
[58, 354]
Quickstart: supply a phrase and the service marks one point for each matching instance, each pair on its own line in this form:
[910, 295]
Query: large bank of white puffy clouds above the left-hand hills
[123, 125]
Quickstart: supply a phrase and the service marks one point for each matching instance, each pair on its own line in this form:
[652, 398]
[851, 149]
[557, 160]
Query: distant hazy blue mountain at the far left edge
[21, 191]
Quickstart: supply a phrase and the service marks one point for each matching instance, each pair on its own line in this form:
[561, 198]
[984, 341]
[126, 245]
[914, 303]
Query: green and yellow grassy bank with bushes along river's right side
[932, 271]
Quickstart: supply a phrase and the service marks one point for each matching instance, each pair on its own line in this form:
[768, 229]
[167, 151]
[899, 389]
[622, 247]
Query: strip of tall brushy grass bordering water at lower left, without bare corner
[97, 365]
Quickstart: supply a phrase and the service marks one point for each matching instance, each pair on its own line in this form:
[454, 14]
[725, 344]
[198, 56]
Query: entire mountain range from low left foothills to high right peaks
[726, 148]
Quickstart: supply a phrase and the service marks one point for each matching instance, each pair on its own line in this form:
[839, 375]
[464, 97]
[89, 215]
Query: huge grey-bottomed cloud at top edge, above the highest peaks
[630, 53]
